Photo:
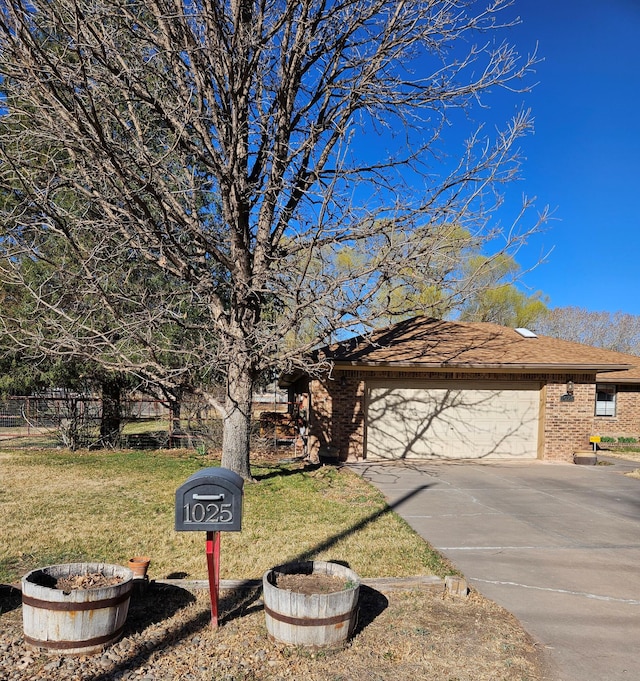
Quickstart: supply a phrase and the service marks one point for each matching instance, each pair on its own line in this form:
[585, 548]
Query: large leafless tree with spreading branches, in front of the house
[211, 178]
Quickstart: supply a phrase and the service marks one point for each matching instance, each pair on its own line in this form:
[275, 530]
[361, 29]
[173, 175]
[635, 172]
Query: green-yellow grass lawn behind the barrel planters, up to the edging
[60, 506]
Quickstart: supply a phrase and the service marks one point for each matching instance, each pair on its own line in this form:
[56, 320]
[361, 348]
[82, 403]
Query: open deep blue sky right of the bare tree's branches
[584, 156]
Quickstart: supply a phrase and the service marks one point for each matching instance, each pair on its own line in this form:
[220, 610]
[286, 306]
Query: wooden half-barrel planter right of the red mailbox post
[318, 620]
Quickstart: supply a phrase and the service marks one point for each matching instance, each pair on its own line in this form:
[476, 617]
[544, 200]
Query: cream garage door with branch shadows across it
[453, 420]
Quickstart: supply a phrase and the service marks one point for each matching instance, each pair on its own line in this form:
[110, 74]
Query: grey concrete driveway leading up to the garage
[557, 545]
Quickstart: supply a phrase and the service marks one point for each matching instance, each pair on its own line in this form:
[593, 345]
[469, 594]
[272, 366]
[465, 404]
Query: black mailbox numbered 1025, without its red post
[210, 500]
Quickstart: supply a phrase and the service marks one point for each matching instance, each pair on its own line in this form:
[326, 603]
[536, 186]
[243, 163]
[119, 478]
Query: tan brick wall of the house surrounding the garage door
[337, 410]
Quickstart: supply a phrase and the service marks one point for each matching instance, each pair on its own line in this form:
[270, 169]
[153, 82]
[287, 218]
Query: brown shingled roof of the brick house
[426, 343]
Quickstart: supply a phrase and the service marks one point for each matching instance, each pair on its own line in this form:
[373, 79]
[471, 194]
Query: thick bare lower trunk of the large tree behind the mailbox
[236, 425]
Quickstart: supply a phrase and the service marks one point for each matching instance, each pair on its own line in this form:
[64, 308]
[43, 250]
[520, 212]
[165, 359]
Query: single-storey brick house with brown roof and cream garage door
[433, 389]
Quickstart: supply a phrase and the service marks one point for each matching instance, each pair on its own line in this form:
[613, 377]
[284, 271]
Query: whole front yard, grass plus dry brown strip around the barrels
[58, 506]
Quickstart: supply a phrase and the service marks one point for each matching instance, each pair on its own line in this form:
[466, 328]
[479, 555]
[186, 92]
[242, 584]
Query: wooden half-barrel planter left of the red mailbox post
[77, 622]
